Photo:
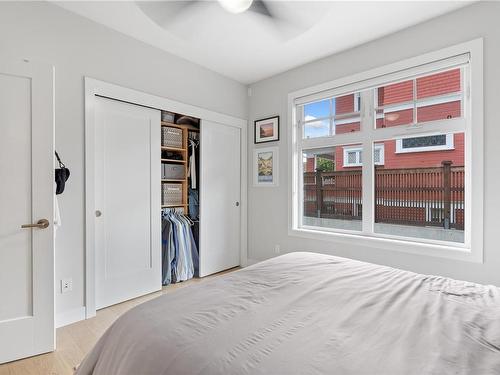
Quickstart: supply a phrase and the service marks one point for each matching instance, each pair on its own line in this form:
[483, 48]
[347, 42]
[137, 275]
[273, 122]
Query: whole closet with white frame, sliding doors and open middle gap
[163, 193]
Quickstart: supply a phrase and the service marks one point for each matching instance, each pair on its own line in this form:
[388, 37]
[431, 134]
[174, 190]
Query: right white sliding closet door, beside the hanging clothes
[219, 197]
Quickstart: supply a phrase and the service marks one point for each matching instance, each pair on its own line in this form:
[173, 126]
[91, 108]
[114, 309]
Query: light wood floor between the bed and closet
[75, 340]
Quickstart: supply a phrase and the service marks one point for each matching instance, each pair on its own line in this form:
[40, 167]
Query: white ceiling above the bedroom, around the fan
[249, 47]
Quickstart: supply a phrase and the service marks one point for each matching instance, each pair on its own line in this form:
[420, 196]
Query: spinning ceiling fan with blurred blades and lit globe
[165, 13]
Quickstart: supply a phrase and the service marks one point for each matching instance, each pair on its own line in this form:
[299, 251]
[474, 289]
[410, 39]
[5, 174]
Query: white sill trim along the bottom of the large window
[383, 242]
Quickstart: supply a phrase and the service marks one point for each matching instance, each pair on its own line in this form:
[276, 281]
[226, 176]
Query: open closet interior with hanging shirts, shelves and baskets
[180, 182]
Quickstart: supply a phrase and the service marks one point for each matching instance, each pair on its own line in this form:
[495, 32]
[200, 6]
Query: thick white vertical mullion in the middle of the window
[367, 132]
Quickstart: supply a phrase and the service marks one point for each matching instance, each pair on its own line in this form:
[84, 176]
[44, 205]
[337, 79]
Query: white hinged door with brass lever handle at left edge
[26, 197]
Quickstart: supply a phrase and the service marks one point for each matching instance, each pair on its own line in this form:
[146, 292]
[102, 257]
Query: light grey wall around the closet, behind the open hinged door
[78, 47]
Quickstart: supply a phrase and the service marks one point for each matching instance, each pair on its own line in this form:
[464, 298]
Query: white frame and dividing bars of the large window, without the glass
[472, 110]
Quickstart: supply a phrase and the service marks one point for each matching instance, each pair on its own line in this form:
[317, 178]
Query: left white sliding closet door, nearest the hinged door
[127, 201]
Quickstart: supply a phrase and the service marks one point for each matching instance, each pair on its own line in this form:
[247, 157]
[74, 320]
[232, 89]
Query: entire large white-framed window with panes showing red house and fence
[414, 191]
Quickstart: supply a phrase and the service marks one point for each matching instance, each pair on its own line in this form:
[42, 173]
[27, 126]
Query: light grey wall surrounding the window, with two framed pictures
[268, 207]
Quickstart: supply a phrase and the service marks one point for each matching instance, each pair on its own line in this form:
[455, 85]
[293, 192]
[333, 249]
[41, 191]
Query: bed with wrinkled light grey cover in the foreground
[305, 313]
